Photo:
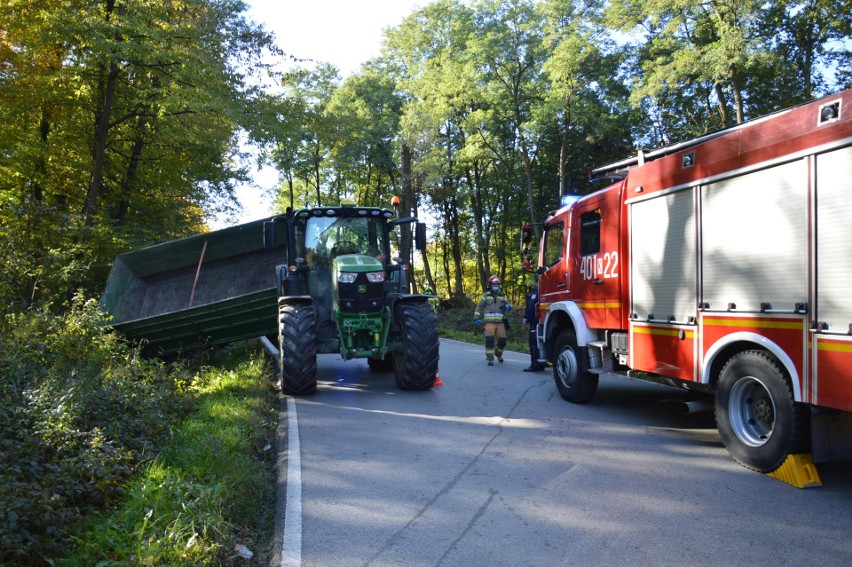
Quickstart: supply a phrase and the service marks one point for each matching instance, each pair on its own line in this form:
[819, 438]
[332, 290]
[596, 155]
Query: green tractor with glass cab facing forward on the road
[340, 292]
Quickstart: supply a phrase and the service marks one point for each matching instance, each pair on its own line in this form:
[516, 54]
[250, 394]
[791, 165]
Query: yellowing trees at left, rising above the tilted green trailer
[120, 129]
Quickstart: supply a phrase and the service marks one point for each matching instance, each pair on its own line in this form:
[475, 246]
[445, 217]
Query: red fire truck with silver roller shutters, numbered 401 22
[721, 265]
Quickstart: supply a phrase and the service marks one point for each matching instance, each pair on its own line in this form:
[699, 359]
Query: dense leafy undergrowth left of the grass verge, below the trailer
[78, 410]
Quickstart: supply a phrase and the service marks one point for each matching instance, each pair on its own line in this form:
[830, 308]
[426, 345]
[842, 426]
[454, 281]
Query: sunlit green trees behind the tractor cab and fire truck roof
[482, 114]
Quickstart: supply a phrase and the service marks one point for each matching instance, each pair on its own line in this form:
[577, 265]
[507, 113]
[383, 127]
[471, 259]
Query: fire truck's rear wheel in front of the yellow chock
[758, 419]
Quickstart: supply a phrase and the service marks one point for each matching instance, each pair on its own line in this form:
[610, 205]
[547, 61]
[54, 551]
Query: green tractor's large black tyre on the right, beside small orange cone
[416, 366]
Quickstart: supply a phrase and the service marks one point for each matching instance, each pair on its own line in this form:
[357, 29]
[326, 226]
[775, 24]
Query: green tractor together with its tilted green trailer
[322, 279]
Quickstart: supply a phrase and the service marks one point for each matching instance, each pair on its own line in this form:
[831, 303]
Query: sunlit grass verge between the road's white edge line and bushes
[211, 487]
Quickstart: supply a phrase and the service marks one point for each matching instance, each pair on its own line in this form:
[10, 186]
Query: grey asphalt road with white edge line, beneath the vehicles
[495, 469]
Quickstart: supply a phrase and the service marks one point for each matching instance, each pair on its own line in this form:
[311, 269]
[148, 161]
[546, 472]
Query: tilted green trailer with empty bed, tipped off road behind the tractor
[207, 289]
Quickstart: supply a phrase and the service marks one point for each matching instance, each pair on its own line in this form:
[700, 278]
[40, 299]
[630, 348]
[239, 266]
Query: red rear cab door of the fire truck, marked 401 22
[596, 263]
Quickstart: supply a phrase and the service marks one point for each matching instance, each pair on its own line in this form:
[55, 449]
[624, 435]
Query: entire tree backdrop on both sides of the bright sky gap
[123, 119]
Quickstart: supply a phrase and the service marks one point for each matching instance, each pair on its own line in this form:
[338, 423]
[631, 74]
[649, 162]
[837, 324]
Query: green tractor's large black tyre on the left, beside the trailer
[297, 349]
